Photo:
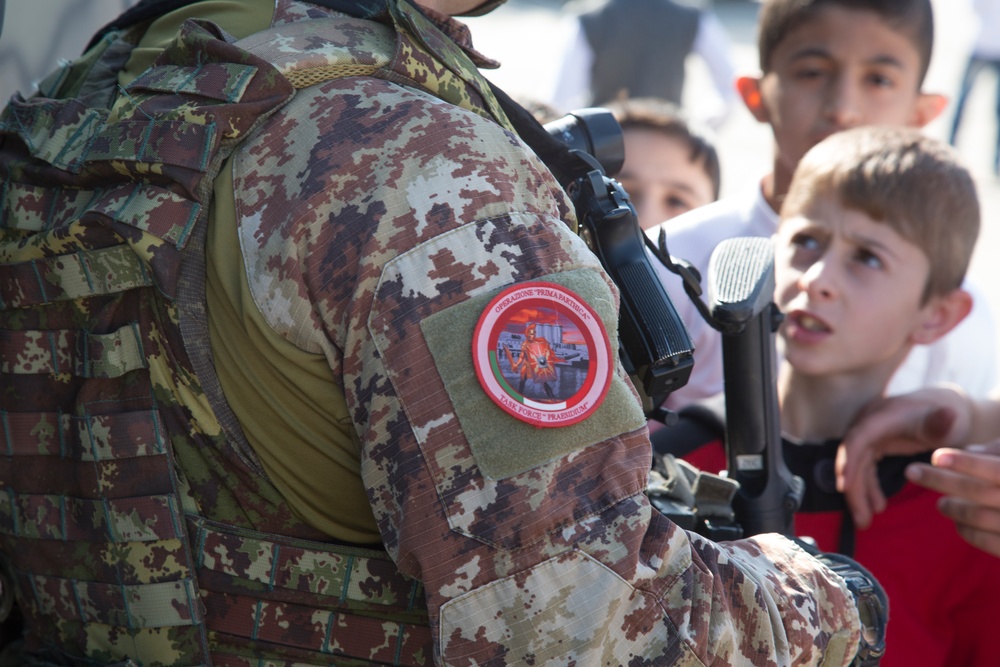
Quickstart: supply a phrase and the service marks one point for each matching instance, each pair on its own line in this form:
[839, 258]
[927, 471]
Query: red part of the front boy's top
[944, 595]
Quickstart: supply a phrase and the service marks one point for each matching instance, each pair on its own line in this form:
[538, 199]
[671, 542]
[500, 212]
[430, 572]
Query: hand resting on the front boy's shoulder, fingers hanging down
[910, 424]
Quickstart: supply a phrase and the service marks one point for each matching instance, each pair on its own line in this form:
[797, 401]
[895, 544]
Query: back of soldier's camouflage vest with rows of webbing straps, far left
[98, 206]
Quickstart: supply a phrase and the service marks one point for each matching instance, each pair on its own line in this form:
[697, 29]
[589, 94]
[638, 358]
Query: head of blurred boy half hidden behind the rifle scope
[670, 166]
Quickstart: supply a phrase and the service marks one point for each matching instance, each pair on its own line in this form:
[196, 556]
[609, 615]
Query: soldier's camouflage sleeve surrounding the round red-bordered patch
[376, 222]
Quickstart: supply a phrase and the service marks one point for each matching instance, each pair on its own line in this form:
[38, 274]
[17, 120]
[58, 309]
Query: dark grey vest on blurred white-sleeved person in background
[640, 47]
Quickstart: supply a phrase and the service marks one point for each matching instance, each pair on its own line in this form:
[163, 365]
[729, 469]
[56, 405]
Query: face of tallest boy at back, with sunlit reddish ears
[841, 69]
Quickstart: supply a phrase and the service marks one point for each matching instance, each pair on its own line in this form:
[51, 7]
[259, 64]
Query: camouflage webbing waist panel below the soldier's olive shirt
[269, 596]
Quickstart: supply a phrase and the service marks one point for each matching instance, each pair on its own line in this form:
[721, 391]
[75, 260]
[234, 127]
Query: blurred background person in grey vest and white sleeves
[638, 48]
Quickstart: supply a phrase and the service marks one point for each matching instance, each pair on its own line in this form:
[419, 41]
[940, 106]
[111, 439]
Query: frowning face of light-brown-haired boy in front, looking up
[850, 288]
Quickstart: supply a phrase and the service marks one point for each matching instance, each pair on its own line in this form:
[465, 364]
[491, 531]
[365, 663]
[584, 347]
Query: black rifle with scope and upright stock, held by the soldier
[655, 344]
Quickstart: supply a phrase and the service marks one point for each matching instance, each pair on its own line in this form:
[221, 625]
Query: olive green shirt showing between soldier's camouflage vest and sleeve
[292, 412]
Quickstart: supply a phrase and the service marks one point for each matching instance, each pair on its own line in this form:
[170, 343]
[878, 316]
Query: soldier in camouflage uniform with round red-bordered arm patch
[249, 253]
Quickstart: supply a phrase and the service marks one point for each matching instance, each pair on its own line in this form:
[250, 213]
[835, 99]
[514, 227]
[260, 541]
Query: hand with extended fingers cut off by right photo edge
[970, 479]
